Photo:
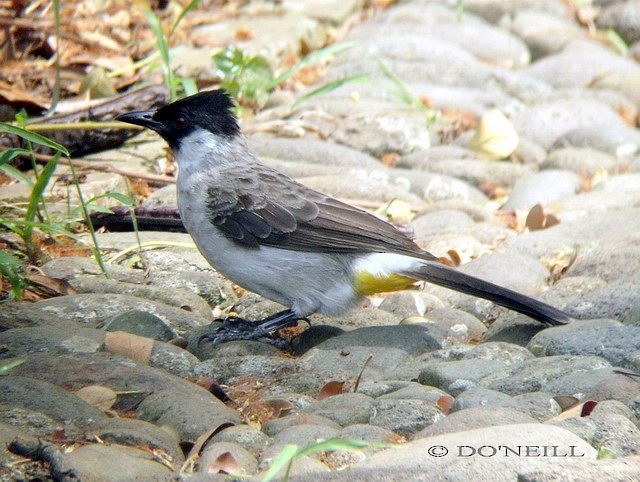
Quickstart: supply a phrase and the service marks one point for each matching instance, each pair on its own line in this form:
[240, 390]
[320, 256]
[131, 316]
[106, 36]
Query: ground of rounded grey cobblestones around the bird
[435, 372]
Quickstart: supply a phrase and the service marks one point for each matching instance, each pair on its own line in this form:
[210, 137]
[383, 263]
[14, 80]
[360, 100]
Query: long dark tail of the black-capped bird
[442, 275]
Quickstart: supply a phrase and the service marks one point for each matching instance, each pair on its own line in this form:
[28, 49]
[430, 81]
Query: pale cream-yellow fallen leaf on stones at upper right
[495, 138]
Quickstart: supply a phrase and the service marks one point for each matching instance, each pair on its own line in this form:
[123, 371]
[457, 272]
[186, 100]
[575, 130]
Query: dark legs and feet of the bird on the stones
[240, 329]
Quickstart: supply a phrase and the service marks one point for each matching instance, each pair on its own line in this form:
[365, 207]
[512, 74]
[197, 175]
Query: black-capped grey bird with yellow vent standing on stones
[274, 236]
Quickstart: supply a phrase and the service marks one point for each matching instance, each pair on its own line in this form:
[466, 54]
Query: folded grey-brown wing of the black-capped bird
[270, 209]
